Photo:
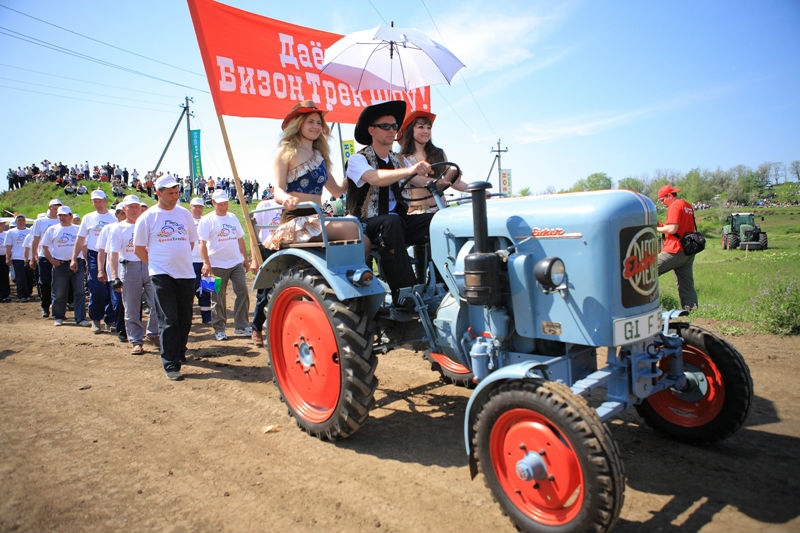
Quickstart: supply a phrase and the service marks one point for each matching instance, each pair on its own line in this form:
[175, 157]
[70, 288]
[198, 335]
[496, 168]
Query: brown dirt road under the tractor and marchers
[95, 439]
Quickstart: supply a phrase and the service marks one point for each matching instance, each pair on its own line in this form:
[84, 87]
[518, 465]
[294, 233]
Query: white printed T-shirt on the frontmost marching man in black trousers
[168, 236]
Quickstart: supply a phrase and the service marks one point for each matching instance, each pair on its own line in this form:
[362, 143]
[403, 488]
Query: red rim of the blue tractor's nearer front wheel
[553, 501]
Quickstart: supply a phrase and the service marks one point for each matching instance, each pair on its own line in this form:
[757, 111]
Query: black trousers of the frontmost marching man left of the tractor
[174, 298]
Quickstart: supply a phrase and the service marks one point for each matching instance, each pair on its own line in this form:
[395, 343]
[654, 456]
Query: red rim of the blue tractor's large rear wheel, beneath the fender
[305, 355]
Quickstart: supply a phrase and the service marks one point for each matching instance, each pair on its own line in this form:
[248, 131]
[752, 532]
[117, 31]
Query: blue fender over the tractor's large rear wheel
[337, 278]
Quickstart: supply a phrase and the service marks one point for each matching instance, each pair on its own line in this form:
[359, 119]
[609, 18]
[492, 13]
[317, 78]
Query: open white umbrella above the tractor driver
[390, 58]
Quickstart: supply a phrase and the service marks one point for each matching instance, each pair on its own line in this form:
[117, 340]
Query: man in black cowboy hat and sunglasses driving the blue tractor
[373, 193]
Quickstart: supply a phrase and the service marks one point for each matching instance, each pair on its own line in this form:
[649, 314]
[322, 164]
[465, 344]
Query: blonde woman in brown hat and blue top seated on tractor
[301, 173]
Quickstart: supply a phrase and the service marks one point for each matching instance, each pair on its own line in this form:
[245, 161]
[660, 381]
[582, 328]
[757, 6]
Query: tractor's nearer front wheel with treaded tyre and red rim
[549, 461]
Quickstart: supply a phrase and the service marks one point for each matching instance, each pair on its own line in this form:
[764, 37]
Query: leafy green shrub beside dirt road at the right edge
[778, 307]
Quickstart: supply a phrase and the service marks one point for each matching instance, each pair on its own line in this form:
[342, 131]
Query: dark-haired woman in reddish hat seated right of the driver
[416, 145]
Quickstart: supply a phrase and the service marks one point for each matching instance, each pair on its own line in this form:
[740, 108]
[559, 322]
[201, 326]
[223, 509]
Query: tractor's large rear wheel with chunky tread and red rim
[321, 354]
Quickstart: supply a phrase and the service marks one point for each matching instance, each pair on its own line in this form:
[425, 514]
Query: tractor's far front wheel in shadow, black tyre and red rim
[719, 395]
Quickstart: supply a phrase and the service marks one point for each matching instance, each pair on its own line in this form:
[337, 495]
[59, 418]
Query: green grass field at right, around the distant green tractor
[738, 287]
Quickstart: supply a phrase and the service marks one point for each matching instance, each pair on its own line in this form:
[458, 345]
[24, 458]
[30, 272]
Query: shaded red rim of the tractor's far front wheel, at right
[692, 411]
